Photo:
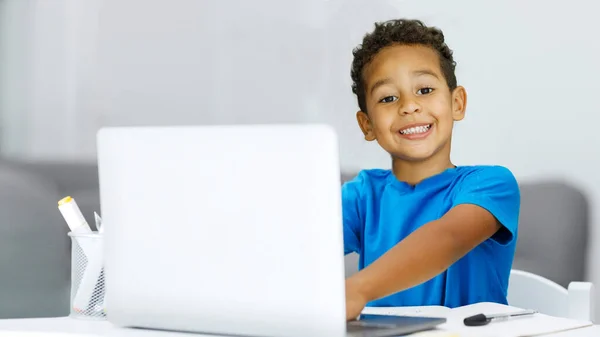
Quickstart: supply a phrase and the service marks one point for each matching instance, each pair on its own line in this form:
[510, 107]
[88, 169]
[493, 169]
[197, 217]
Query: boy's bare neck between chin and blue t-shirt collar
[413, 173]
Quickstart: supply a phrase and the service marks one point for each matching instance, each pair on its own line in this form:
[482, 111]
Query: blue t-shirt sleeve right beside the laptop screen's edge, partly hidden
[351, 198]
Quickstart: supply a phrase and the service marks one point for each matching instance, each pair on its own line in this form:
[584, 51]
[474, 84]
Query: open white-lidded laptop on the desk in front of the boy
[228, 230]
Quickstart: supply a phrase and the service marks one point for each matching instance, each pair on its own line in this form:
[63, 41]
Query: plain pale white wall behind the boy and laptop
[530, 68]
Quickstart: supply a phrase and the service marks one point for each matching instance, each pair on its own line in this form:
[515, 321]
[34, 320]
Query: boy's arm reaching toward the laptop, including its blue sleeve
[487, 205]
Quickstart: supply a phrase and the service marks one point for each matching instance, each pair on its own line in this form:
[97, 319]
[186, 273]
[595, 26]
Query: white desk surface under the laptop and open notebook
[103, 328]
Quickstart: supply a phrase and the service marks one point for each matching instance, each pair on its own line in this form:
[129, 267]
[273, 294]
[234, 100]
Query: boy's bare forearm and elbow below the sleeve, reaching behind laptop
[425, 253]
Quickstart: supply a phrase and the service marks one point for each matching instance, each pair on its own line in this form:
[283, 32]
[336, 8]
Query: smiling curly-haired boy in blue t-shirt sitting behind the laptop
[427, 232]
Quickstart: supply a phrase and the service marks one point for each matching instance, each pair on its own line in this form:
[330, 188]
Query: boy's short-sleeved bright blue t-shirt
[379, 211]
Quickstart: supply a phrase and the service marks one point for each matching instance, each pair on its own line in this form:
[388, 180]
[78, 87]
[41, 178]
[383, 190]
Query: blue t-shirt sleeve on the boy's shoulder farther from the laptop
[495, 189]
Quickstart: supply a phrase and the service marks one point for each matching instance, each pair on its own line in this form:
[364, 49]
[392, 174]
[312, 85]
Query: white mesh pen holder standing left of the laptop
[87, 276]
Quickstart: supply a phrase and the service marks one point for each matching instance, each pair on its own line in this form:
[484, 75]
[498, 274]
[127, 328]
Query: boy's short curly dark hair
[401, 31]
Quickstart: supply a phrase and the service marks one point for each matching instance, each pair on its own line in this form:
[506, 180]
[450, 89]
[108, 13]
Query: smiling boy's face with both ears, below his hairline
[411, 110]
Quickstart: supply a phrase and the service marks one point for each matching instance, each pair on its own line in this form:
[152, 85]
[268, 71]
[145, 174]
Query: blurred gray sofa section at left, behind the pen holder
[34, 246]
